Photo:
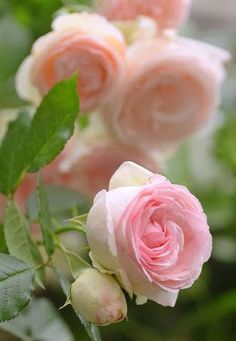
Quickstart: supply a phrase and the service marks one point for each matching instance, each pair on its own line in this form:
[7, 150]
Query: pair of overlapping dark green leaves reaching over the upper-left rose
[51, 127]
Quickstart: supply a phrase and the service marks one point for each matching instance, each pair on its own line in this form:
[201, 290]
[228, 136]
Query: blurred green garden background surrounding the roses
[206, 163]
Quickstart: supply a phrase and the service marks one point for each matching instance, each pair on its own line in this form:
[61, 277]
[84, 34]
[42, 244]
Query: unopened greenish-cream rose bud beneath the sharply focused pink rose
[98, 298]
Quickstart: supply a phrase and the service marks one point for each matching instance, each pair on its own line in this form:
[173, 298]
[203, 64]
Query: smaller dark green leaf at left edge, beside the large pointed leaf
[12, 154]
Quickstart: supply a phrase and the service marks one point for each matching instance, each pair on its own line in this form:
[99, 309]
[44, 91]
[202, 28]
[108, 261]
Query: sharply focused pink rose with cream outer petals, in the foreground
[153, 235]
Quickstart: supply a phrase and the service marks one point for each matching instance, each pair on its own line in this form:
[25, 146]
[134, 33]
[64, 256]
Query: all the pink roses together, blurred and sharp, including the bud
[144, 89]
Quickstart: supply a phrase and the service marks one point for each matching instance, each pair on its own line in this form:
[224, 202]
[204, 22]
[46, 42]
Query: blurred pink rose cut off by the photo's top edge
[167, 13]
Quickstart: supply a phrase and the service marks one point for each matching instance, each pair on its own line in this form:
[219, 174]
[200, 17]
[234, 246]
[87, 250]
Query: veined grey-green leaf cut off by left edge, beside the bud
[16, 285]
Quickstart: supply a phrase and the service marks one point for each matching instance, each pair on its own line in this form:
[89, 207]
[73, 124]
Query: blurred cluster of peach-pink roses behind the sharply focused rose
[146, 87]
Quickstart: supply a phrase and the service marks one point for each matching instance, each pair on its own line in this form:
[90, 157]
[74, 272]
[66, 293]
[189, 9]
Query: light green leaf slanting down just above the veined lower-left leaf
[18, 240]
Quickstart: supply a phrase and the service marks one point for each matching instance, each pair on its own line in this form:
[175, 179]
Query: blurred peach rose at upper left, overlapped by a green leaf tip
[84, 43]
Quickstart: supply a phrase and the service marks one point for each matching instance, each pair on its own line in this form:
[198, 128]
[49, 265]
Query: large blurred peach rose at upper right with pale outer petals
[171, 91]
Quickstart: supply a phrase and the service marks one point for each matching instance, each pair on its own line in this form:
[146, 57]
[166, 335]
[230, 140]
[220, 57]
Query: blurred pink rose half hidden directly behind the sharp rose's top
[91, 171]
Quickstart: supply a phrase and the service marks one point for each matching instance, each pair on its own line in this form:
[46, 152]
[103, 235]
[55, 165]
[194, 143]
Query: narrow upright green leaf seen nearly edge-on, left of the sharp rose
[45, 218]
